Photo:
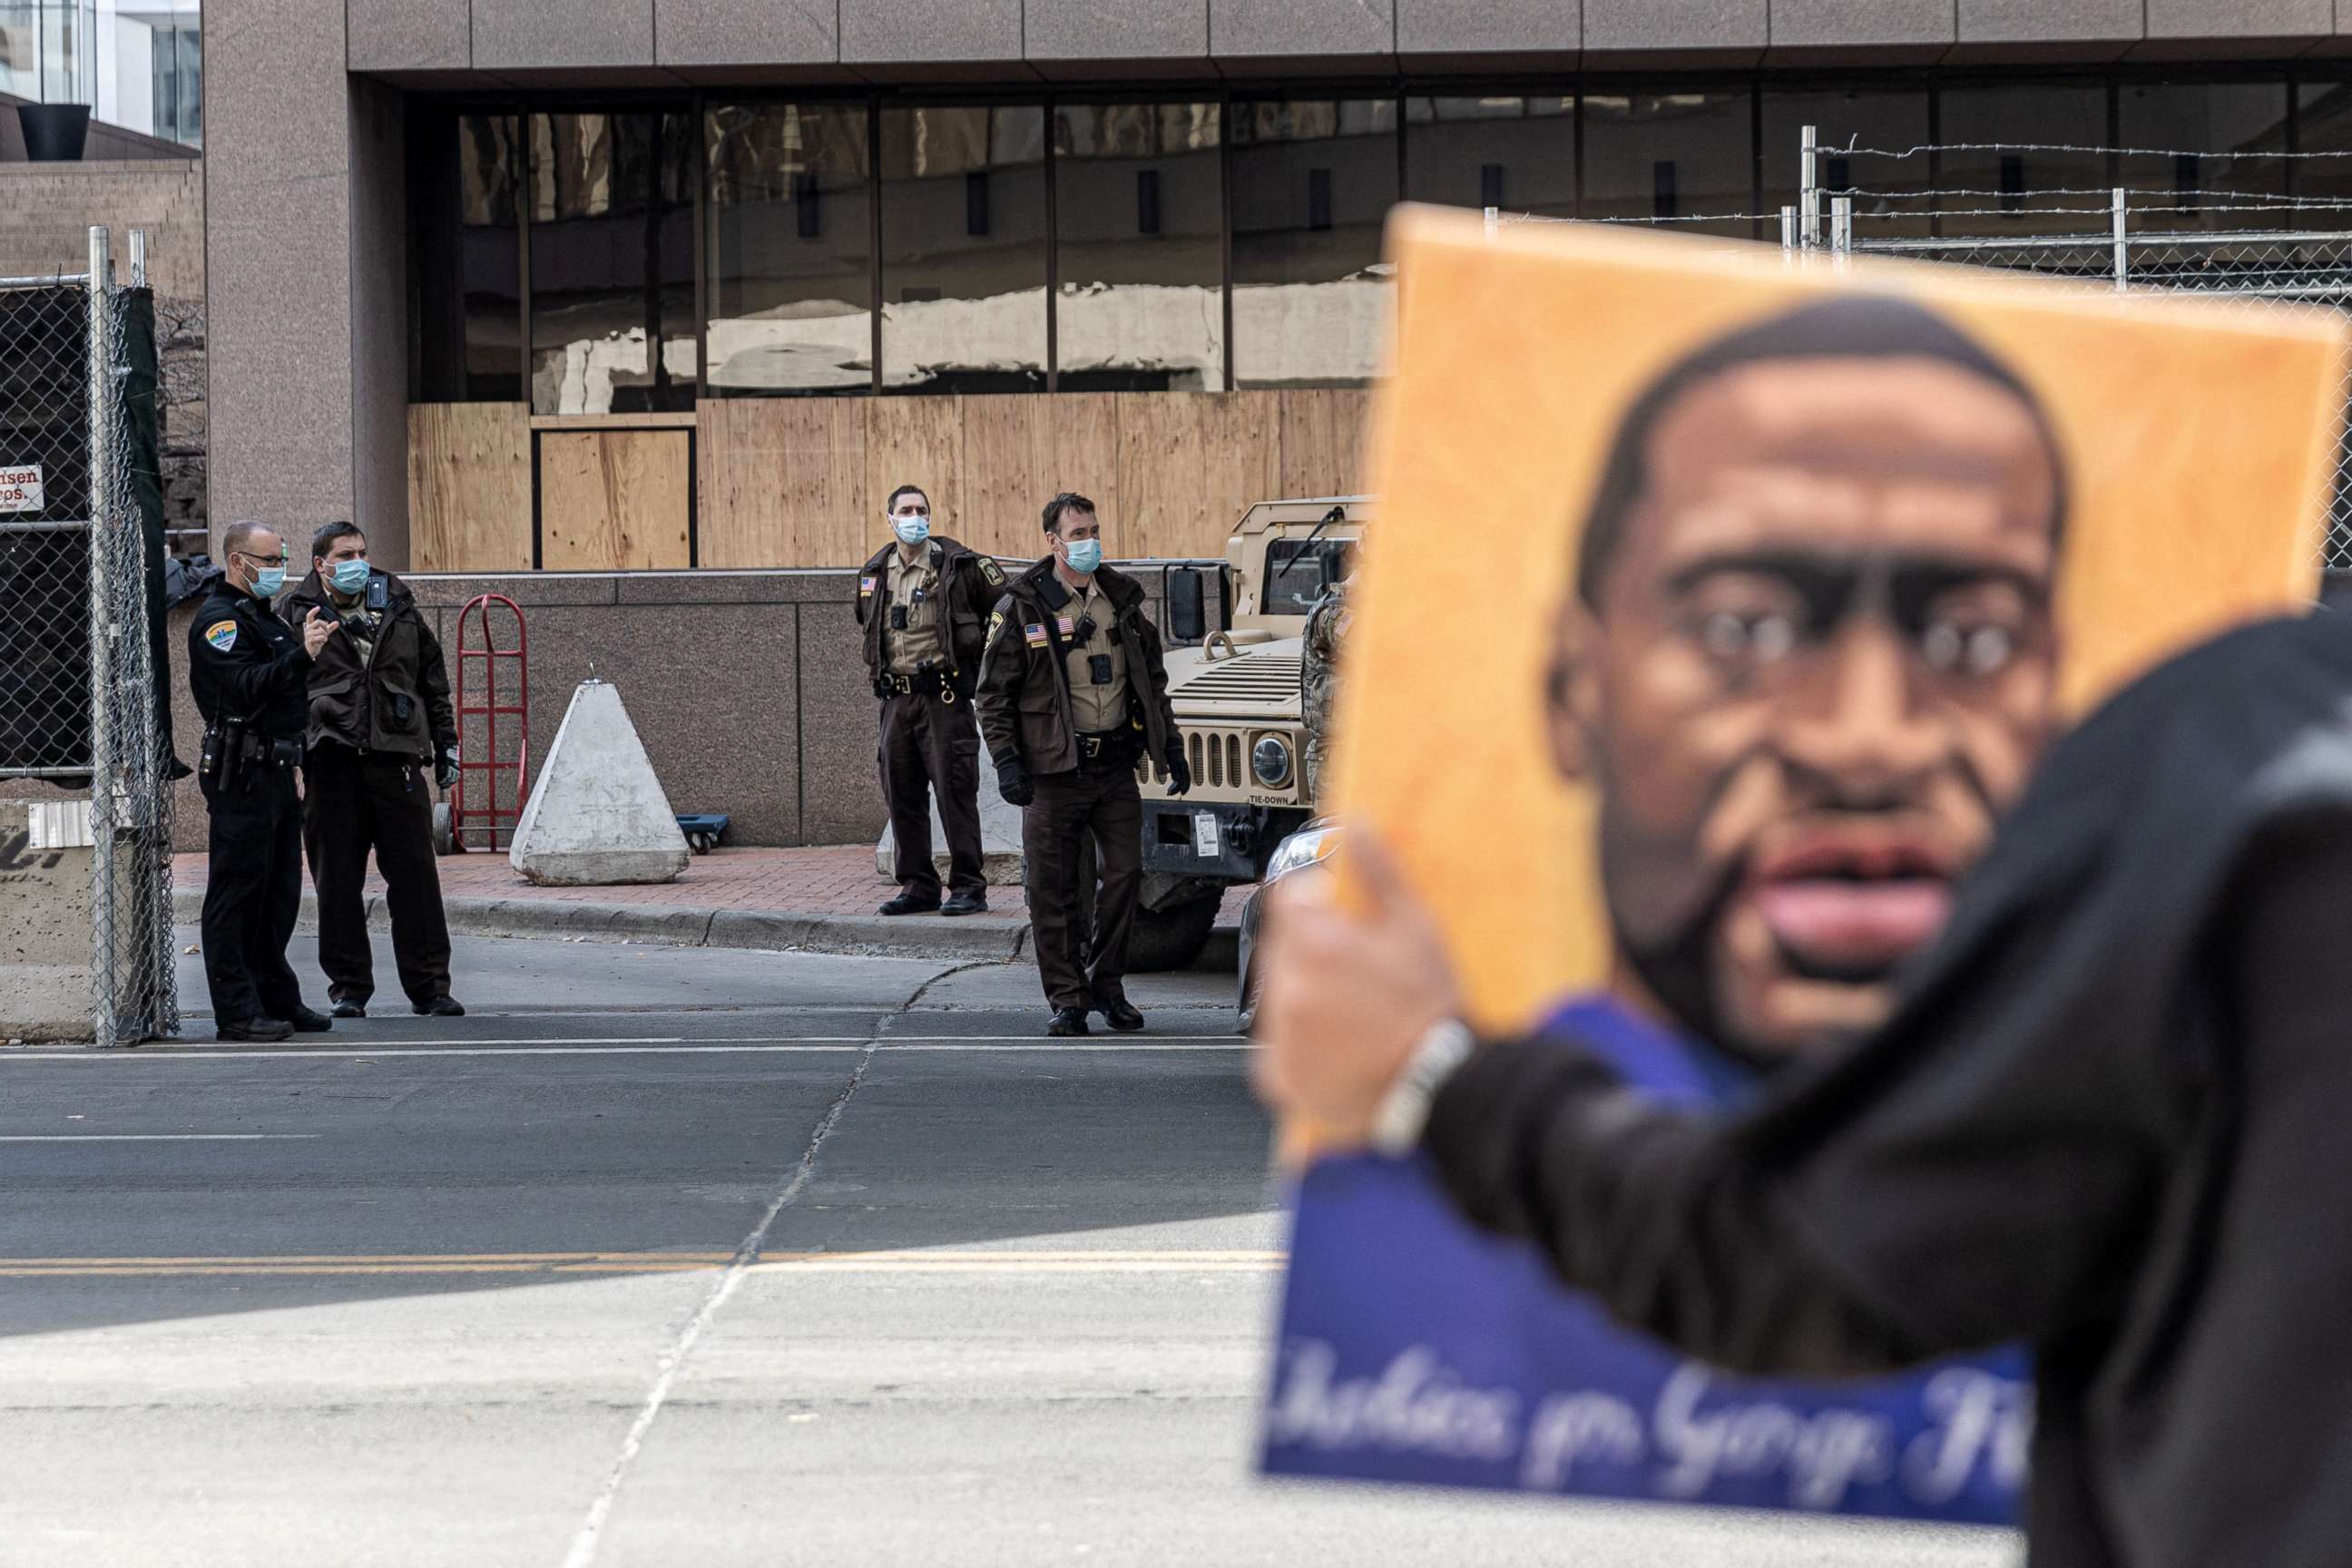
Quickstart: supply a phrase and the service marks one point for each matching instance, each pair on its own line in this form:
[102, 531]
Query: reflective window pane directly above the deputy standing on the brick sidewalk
[963, 250]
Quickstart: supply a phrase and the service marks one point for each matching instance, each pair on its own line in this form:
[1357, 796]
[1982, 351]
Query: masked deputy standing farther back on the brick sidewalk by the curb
[923, 601]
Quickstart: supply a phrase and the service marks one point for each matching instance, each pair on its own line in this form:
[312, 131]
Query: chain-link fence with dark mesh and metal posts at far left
[83, 669]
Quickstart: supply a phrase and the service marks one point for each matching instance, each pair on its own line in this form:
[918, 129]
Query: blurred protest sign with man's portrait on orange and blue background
[1720, 608]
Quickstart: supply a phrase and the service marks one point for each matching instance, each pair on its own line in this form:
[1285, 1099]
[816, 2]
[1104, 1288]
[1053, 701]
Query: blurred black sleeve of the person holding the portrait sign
[1984, 1170]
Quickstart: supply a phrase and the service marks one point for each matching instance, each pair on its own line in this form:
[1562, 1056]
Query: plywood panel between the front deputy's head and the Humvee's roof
[1191, 464]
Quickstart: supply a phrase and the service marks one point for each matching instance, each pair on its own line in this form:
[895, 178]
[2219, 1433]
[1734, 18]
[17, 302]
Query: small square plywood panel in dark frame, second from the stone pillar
[615, 500]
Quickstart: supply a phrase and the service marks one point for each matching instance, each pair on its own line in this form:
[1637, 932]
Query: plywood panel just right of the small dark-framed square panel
[784, 483]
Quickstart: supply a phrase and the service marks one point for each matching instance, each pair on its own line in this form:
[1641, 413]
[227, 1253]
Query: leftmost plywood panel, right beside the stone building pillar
[469, 488]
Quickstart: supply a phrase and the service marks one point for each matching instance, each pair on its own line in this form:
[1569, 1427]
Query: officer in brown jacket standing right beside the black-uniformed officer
[380, 721]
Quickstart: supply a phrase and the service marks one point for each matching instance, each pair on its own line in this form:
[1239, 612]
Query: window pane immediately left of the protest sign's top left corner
[1311, 187]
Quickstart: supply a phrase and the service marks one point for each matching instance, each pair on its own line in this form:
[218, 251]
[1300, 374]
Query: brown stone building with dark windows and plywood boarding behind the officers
[636, 309]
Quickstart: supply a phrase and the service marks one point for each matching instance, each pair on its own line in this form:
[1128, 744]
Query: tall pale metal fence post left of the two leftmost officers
[105, 746]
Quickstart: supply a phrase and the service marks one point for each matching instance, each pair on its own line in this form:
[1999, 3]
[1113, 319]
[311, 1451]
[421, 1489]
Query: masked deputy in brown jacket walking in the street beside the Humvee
[1074, 695]
